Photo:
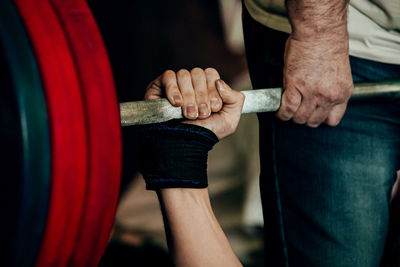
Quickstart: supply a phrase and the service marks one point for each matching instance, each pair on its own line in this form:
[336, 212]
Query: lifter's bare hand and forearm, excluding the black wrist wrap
[194, 235]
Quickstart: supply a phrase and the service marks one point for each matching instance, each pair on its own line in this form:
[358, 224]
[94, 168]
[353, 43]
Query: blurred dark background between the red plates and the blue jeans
[143, 39]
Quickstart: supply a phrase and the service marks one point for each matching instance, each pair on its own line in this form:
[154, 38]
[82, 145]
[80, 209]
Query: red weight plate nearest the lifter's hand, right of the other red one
[104, 128]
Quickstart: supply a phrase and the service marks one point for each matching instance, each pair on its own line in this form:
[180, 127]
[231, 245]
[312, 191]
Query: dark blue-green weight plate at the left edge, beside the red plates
[25, 174]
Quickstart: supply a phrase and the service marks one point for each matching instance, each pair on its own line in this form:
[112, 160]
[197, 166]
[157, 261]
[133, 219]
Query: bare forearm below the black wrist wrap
[194, 235]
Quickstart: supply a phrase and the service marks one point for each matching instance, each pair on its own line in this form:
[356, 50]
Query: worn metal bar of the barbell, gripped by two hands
[262, 100]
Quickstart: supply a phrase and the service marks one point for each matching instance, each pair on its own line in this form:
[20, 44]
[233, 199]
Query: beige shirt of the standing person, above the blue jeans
[373, 26]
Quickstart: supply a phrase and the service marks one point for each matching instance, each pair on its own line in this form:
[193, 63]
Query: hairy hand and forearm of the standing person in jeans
[317, 75]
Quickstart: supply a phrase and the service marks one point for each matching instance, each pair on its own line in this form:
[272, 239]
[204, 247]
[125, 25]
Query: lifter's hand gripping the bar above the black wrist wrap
[205, 99]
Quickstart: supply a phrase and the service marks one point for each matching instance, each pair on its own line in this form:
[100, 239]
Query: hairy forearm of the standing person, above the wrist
[316, 19]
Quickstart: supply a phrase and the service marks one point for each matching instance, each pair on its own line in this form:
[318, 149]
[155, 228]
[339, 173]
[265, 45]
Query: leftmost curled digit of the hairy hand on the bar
[291, 99]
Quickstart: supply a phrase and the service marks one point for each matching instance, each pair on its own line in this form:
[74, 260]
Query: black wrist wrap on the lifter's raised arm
[174, 155]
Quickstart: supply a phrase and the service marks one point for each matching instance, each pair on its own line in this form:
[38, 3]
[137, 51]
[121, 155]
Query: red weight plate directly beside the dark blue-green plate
[67, 129]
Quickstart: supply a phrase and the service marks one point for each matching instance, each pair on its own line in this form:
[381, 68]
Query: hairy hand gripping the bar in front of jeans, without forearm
[317, 81]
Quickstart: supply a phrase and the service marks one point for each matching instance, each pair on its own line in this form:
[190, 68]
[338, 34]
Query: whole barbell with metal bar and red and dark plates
[61, 128]
